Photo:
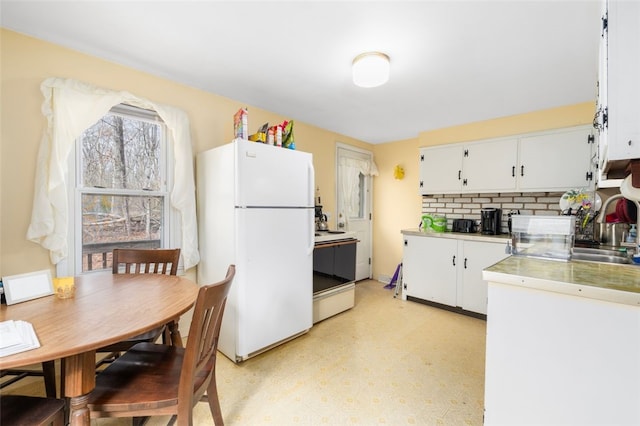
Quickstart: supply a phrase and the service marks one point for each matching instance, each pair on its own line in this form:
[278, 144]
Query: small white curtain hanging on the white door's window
[350, 170]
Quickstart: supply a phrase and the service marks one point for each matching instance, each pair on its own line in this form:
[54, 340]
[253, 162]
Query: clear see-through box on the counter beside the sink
[549, 237]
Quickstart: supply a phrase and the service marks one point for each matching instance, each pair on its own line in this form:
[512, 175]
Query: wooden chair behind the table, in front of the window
[145, 261]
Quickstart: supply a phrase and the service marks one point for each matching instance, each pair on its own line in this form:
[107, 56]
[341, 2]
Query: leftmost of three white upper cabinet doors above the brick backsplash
[441, 169]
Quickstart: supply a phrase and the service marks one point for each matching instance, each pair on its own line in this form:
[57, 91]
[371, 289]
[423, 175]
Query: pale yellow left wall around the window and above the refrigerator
[25, 62]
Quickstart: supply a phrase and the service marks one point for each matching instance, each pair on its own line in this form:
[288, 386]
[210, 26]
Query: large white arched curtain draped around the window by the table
[70, 107]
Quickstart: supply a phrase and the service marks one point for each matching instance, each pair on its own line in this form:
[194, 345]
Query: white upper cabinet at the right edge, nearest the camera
[619, 85]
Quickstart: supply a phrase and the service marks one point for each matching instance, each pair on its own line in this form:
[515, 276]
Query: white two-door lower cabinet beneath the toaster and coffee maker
[448, 271]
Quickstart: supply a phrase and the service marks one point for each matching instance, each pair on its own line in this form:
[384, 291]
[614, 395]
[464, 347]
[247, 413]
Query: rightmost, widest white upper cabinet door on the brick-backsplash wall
[556, 161]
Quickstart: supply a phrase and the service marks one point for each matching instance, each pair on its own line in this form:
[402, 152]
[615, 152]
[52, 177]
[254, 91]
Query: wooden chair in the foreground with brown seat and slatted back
[159, 380]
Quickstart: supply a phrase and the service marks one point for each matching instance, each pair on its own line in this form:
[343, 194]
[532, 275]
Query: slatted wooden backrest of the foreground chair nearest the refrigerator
[202, 343]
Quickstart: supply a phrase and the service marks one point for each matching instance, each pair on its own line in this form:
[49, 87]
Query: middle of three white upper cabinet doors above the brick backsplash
[489, 166]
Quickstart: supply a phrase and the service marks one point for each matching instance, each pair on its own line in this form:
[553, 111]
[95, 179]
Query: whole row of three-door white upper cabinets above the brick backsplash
[555, 160]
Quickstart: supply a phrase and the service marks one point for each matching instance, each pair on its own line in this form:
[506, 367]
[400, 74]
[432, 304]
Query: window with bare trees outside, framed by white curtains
[122, 198]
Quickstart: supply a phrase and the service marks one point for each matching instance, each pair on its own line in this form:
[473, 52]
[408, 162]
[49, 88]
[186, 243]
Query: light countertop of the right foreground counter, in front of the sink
[601, 281]
